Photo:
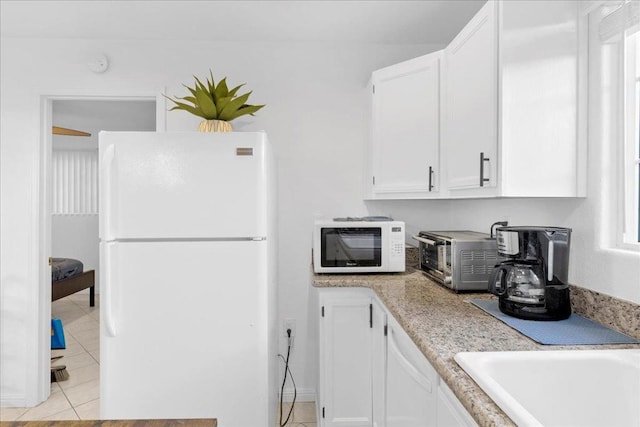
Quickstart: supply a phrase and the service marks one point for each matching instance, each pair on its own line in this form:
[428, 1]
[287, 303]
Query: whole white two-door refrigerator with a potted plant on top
[188, 275]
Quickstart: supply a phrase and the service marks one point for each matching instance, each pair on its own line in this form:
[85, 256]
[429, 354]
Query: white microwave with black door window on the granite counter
[358, 247]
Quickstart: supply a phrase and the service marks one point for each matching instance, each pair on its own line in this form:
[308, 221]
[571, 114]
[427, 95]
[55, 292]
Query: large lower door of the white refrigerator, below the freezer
[188, 334]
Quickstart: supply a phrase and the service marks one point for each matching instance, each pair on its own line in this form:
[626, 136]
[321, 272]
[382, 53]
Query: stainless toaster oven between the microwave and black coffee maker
[460, 260]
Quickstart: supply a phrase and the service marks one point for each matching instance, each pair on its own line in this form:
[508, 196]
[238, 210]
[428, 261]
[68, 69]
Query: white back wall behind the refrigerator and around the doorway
[315, 117]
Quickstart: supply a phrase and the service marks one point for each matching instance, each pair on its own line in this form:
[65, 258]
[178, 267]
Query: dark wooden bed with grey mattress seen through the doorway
[68, 277]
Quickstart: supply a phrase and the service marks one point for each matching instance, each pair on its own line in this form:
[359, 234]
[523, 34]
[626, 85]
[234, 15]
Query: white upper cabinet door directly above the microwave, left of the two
[406, 129]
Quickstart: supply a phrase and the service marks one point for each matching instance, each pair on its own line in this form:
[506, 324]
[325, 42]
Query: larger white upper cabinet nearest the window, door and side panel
[513, 122]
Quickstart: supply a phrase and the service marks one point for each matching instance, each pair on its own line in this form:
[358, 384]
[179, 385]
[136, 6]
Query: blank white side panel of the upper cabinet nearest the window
[542, 133]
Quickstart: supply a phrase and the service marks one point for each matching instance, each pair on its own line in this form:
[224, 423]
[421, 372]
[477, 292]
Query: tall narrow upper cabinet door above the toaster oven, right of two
[471, 104]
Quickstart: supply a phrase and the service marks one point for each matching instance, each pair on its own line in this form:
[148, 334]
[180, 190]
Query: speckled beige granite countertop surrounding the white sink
[442, 323]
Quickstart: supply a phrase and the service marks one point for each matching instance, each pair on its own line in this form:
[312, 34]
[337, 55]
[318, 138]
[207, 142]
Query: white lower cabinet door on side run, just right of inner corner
[411, 384]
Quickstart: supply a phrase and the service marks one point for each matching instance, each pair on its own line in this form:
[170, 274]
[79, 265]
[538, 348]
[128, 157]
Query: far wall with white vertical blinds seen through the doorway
[74, 171]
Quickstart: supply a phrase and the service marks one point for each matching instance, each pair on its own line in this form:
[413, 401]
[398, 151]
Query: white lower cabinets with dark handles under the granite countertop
[371, 372]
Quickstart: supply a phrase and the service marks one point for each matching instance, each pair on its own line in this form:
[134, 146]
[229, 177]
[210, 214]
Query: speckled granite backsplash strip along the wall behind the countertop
[623, 316]
